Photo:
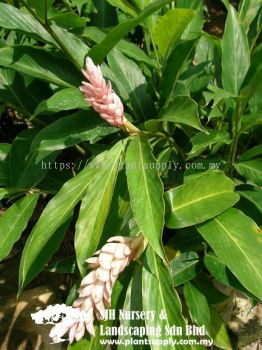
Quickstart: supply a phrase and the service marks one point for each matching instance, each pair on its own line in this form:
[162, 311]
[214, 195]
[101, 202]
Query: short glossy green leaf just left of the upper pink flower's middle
[63, 100]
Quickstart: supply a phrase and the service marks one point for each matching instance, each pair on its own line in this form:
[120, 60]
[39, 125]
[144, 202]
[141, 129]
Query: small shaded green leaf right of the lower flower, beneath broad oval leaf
[184, 267]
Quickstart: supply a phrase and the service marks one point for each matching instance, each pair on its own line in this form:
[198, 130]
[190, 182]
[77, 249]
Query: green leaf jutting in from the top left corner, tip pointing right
[14, 19]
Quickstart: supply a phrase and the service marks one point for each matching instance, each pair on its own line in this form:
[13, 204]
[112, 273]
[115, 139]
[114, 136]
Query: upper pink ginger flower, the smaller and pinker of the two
[101, 96]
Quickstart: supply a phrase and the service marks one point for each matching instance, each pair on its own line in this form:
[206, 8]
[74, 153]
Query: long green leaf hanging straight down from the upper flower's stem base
[146, 191]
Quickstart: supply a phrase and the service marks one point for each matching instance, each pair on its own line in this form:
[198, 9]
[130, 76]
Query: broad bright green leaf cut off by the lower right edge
[234, 232]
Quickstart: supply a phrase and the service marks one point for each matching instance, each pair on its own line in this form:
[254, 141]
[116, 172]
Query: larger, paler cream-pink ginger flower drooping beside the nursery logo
[96, 287]
